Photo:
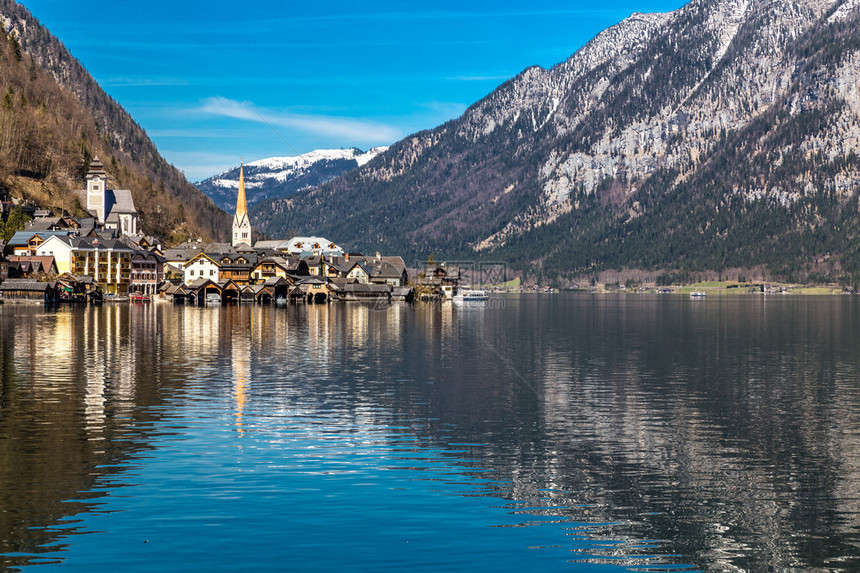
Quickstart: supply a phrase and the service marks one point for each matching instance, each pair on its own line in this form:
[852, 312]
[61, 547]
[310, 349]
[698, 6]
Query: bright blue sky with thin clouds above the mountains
[216, 82]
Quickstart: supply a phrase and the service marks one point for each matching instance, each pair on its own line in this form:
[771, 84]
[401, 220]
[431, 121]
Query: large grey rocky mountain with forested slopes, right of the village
[722, 135]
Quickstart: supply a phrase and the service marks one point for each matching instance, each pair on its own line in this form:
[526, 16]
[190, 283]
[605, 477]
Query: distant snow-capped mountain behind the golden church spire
[282, 176]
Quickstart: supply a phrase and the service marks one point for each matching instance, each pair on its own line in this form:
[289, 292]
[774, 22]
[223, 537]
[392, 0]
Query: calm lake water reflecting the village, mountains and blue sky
[550, 432]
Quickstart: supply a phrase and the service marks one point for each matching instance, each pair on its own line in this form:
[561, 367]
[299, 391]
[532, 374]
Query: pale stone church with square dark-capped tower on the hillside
[112, 208]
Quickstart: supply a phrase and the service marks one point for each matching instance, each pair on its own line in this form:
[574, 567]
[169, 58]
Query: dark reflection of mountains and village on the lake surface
[718, 434]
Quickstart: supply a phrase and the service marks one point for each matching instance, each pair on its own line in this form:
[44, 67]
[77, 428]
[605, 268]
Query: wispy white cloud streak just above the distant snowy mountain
[353, 131]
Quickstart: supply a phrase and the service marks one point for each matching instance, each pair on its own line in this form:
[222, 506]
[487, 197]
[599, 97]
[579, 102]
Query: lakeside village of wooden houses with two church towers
[107, 256]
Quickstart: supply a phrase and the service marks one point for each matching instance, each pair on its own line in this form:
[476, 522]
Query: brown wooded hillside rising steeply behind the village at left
[55, 118]
